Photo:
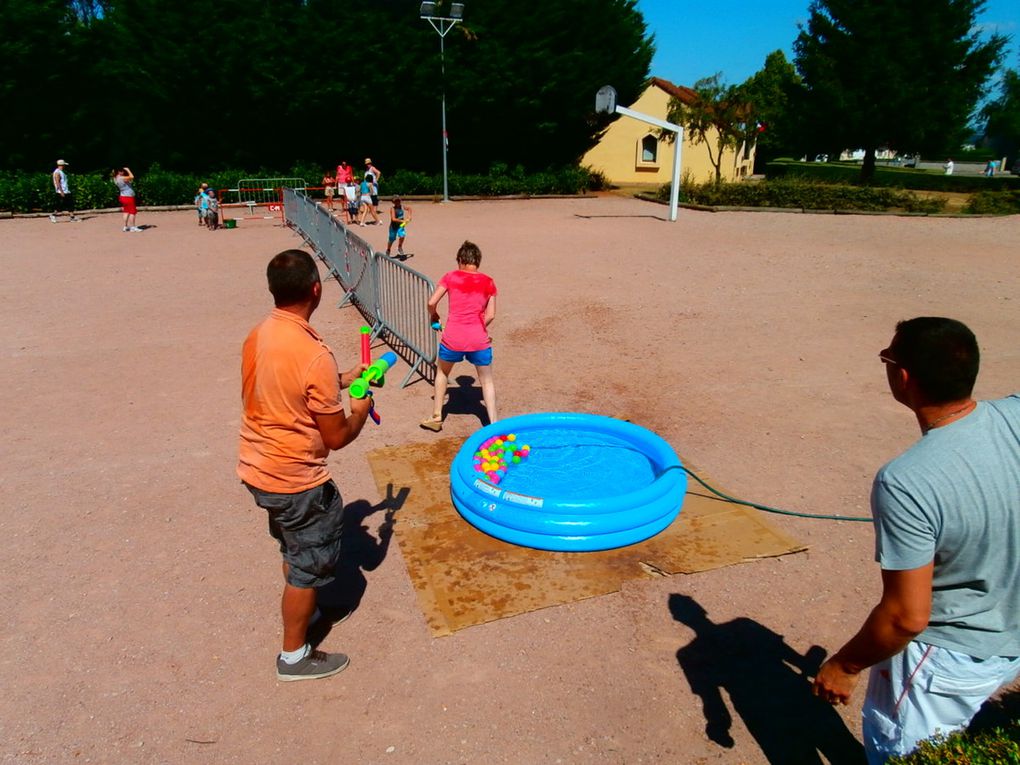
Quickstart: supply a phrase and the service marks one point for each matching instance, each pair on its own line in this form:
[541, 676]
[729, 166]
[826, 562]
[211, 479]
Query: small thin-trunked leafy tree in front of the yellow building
[717, 116]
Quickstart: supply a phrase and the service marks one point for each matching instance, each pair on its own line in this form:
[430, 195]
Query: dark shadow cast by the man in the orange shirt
[361, 552]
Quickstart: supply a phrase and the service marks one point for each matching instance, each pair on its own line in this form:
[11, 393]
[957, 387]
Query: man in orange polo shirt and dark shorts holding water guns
[292, 418]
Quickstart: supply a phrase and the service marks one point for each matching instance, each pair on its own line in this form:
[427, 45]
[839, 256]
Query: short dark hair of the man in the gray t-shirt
[941, 354]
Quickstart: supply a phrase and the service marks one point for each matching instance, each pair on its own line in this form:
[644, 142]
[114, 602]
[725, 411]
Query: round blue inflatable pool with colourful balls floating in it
[582, 483]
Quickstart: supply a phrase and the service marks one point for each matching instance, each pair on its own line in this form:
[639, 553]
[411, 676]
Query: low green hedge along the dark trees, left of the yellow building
[31, 192]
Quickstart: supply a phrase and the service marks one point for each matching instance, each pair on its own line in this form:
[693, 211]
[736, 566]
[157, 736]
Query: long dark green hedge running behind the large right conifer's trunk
[897, 178]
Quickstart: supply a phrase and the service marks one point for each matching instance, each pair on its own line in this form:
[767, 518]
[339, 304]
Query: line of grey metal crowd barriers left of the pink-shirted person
[390, 296]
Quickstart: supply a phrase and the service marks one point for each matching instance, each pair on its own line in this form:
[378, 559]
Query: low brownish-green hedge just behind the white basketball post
[808, 195]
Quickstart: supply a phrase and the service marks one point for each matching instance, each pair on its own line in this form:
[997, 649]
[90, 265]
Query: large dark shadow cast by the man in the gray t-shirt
[768, 685]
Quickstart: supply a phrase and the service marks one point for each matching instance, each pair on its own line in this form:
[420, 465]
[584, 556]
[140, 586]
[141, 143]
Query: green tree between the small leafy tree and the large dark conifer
[773, 95]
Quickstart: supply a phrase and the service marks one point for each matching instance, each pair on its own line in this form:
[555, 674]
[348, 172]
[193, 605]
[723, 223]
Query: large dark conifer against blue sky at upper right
[902, 74]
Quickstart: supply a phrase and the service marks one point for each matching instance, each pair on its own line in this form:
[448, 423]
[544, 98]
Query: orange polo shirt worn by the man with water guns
[288, 374]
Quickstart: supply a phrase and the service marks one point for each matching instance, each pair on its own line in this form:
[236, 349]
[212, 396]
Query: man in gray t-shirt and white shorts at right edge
[946, 634]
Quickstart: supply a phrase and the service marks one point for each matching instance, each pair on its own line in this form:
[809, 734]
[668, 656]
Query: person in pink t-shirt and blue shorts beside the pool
[472, 311]
